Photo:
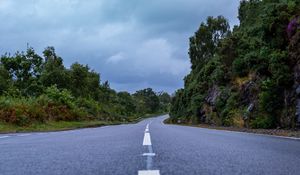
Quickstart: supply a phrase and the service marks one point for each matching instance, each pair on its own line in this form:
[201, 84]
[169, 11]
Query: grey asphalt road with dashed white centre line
[148, 145]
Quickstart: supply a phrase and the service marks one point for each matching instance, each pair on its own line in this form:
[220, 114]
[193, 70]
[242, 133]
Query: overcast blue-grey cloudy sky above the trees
[134, 44]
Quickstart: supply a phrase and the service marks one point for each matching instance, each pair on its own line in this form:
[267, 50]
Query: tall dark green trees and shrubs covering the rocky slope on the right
[248, 76]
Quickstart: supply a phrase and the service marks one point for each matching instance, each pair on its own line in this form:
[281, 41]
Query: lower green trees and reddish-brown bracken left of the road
[39, 89]
